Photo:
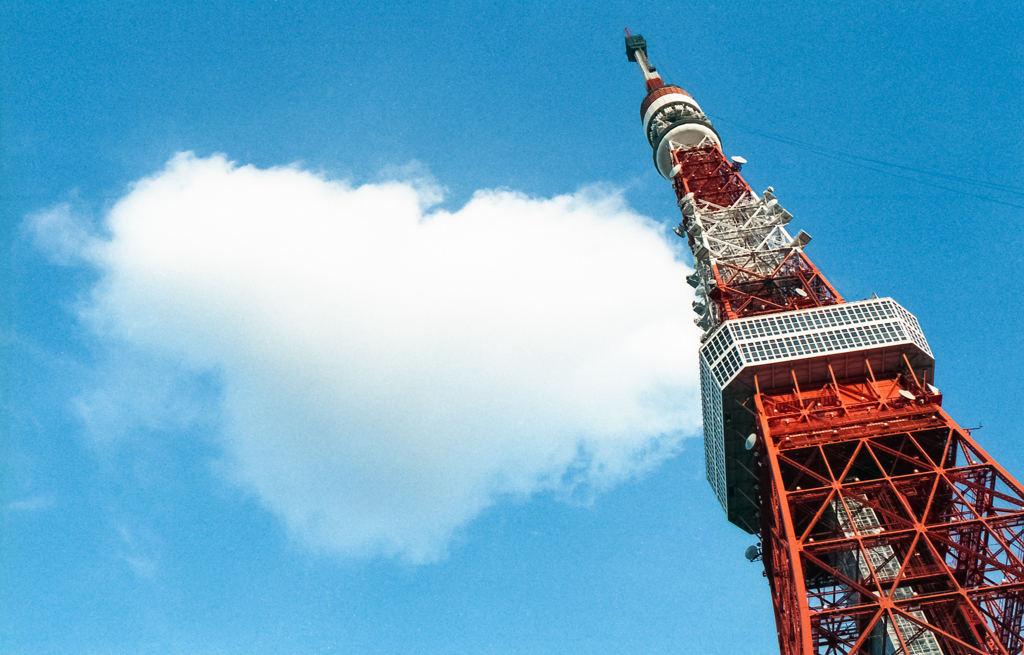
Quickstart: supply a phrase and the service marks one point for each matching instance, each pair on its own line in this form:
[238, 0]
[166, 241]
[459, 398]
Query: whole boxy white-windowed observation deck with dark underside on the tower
[807, 347]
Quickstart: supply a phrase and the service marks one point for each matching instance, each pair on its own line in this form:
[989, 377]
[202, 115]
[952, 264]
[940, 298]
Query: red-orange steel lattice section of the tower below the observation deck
[886, 529]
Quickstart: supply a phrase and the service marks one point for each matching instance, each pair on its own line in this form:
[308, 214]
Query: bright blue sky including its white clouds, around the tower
[170, 479]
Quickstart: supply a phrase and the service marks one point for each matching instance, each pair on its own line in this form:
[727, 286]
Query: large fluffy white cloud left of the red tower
[390, 372]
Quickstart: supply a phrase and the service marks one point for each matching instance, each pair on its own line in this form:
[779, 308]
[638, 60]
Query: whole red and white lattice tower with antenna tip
[885, 529]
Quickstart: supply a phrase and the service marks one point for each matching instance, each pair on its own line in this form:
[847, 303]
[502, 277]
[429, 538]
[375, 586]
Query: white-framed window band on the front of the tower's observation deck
[809, 332]
